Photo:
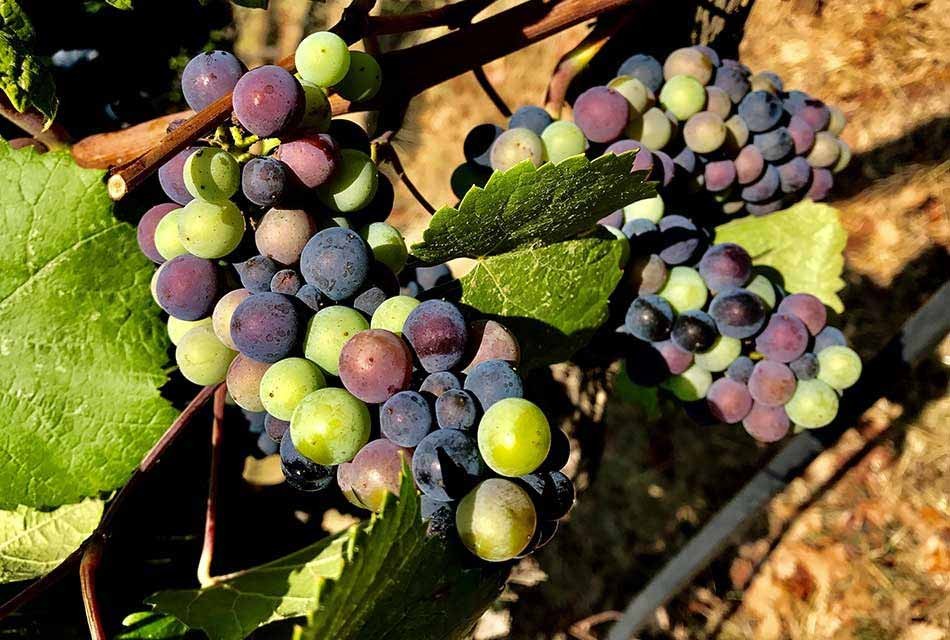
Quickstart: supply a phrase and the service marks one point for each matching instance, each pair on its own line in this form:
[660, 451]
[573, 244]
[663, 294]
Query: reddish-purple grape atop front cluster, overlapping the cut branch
[267, 100]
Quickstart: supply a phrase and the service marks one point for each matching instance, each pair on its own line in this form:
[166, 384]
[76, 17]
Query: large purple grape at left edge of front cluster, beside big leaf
[187, 287]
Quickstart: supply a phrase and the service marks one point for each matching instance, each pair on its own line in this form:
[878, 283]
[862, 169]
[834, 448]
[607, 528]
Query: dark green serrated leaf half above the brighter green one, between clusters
[528, 207]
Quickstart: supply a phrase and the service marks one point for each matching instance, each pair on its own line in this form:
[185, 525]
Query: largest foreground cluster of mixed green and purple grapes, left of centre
[281, 279]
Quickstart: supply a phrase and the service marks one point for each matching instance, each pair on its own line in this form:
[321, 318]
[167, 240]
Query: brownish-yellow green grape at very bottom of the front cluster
[496, 520]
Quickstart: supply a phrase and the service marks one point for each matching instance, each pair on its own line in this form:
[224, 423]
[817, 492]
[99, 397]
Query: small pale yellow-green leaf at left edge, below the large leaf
[33, 542]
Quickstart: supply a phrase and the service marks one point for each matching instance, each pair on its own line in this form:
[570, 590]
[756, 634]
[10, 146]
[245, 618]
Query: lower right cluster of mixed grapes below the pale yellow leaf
[710, 330]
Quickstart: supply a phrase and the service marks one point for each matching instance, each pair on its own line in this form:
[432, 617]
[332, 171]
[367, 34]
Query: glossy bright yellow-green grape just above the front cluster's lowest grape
[514, 437]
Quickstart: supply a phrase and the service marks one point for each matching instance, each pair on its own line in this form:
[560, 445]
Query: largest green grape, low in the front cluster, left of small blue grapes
[329, 426]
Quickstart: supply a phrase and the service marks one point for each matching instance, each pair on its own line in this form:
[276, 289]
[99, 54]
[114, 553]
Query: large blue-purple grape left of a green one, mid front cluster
[265, 327]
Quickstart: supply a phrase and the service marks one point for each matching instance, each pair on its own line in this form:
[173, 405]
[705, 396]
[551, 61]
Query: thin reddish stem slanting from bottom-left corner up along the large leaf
[102, 531]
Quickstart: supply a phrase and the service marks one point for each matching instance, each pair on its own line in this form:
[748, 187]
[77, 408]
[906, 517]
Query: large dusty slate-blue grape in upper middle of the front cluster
[337, 261]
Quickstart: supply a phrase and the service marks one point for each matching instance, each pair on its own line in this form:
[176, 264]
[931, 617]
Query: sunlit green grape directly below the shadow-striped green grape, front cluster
[210, 230]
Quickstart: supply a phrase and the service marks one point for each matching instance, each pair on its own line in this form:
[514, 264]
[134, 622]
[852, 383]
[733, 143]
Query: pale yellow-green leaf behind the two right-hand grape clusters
[804, 243]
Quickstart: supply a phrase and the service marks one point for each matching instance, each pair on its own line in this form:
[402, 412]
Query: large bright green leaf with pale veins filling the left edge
[82, 348]
